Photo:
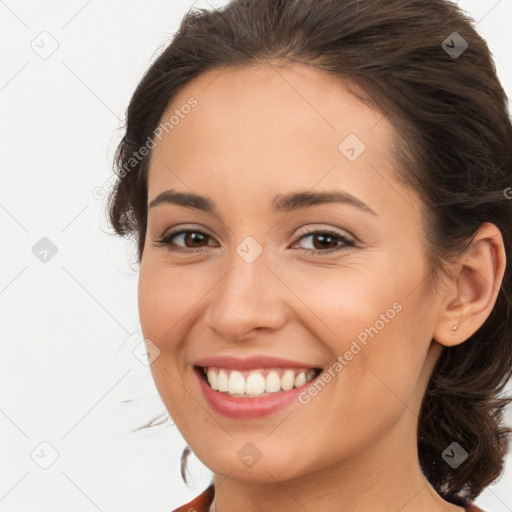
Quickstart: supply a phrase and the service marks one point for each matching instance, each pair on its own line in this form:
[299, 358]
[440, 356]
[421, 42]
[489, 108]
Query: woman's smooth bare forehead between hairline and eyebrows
[285, 125]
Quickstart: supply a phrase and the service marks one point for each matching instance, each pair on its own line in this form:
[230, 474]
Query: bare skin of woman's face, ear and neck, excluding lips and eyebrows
[272, 129]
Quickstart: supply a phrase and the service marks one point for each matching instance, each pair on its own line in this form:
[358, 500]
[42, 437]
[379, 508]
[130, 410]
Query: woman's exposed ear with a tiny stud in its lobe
[473, 288]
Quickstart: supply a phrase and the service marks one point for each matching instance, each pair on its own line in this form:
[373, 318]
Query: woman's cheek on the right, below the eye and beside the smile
[376, 318]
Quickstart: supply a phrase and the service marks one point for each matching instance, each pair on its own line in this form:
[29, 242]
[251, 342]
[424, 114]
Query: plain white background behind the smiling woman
[69, 325]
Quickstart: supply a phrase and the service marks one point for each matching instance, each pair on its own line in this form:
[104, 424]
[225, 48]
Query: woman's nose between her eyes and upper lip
[248, 297]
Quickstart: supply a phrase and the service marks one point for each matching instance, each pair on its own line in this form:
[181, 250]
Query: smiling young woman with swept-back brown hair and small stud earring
[320, 194]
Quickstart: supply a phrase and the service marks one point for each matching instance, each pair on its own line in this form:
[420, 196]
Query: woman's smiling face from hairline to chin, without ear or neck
[338, 285]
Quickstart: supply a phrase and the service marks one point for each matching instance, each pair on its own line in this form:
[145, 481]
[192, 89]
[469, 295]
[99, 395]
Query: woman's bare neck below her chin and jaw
[386, 477]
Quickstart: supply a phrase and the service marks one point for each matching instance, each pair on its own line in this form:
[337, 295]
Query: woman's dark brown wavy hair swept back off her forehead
[453, 144]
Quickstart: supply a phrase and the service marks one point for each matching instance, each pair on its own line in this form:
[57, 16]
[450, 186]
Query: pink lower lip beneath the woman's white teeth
[236, 407]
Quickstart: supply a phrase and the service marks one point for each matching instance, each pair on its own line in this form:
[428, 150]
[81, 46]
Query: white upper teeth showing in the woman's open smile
[255, 383]
